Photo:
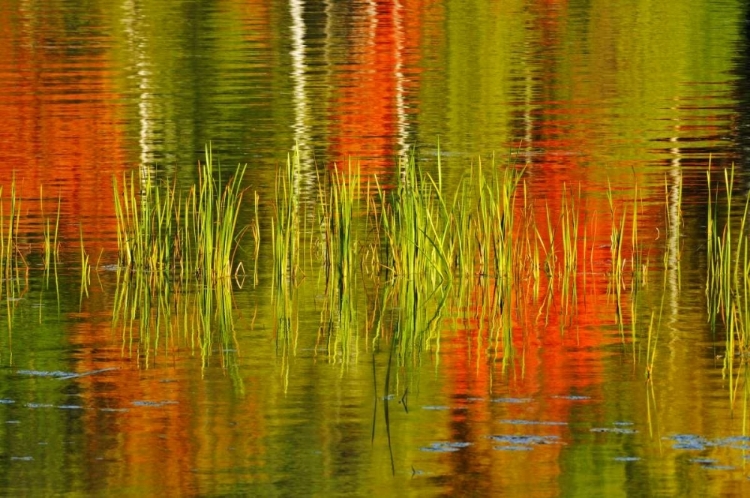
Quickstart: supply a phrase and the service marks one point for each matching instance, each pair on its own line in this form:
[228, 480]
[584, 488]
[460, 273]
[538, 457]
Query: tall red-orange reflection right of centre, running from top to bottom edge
[555, 360]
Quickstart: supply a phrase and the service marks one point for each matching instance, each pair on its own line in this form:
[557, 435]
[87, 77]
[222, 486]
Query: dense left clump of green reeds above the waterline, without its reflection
[162, 229]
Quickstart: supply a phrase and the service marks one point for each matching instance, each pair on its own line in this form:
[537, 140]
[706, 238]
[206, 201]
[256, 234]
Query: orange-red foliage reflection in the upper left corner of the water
[59, 125]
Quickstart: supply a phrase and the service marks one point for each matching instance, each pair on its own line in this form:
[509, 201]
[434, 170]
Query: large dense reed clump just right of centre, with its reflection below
[436, 242]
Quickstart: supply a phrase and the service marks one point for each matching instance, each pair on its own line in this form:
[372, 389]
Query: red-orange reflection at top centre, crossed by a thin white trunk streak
[369, 110]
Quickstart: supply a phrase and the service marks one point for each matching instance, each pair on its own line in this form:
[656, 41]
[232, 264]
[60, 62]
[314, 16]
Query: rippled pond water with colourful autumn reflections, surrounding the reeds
[149, 385]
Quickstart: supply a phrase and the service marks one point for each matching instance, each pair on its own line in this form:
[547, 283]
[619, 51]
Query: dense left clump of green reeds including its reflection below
[171, 239]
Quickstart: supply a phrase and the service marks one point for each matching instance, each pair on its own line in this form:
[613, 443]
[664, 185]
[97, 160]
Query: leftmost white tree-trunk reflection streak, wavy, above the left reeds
[145, 136]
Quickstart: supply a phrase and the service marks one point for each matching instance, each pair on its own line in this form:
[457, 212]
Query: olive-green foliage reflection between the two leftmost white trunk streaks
[202, 79]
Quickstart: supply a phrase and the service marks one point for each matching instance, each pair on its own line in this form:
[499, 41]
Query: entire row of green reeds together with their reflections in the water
[398, 264]
